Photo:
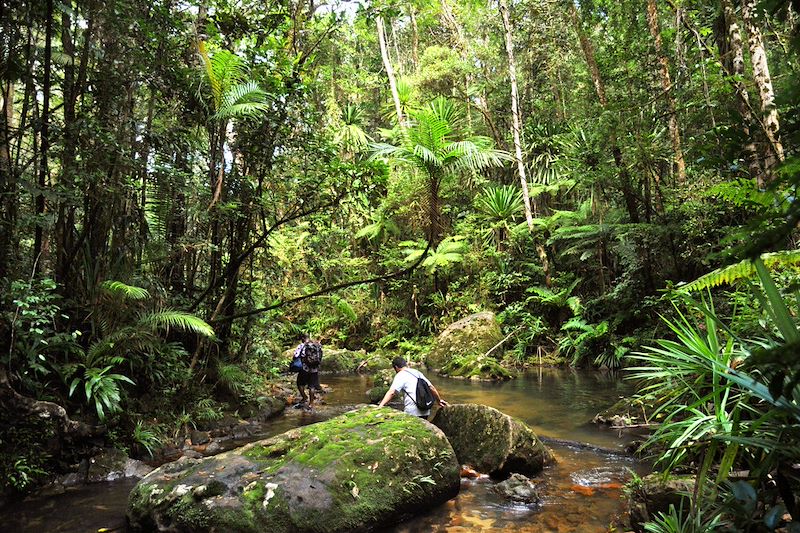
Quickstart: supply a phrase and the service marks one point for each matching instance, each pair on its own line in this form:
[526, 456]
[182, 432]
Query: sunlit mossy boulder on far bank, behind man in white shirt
[460, 349]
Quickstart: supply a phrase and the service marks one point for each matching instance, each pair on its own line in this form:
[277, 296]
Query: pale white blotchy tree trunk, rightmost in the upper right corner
[773, 154]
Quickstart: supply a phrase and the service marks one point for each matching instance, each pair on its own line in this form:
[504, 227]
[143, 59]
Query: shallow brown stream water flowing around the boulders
[581, 492]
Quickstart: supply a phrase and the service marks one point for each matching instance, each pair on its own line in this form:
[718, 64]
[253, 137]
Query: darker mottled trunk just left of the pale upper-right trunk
[732, 52]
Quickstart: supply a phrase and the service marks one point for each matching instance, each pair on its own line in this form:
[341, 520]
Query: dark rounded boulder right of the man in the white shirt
[492, 442]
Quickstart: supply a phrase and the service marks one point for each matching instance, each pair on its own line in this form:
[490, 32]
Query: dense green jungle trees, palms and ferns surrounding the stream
[186, 186]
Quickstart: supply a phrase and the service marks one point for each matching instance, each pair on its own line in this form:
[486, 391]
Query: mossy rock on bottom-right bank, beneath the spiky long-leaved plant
[654, 494]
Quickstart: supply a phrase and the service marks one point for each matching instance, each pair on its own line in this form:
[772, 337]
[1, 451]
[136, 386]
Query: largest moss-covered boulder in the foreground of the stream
[359, 471]
